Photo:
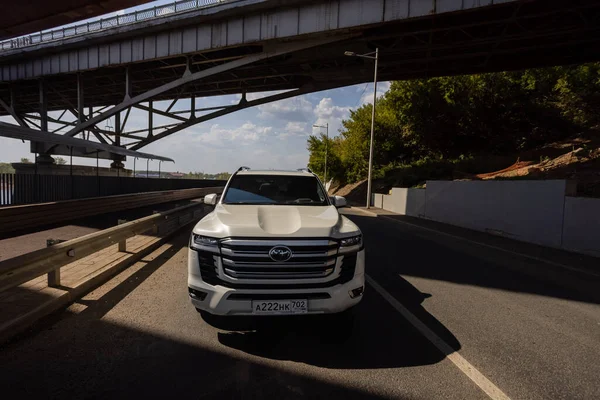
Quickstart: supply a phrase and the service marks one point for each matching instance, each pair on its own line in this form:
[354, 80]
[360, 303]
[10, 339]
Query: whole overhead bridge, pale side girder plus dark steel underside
[243, 46]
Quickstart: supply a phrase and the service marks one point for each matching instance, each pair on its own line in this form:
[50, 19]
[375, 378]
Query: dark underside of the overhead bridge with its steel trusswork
[509, 36]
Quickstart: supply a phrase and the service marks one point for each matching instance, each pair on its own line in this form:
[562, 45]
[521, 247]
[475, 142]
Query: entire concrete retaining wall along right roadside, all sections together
[532, 211]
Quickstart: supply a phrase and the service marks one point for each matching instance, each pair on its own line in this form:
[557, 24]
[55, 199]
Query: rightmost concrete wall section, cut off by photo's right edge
[581, 231]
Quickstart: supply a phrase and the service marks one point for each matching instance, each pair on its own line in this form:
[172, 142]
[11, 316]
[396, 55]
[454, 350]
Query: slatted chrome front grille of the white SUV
[248, 259]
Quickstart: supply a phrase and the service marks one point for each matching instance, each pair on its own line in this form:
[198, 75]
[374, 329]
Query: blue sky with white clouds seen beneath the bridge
[269, 136]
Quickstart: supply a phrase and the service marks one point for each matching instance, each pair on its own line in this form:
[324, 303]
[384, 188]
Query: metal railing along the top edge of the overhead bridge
[107, 23]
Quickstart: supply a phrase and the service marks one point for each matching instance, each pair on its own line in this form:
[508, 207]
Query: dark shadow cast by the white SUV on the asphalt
[381, 337]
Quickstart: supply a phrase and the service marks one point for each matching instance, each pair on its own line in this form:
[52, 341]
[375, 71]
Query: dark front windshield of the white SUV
[275, 189]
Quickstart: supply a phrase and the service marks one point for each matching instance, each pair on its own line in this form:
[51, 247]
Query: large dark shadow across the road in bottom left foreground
[96, 359]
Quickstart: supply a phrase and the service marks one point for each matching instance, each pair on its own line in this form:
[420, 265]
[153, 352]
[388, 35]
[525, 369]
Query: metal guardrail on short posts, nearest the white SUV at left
[18, 270]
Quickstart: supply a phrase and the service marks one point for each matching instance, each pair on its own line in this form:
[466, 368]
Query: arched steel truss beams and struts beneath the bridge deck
[181, 118]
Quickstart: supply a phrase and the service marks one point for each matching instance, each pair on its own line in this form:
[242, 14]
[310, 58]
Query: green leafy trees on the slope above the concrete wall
[434, 120]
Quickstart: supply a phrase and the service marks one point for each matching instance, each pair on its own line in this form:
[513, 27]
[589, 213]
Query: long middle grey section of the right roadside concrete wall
[531, 211]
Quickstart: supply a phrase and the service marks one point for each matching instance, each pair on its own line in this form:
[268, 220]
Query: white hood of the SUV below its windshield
[274, 221]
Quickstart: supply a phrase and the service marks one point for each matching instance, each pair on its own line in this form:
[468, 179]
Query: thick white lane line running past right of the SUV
[469, 370]
